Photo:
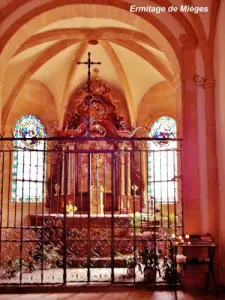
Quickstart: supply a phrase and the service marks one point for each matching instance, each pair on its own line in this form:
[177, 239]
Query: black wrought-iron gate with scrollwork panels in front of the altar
[88, 210]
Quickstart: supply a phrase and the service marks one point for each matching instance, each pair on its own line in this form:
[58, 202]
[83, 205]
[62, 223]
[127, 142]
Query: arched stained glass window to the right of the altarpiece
[162, 161]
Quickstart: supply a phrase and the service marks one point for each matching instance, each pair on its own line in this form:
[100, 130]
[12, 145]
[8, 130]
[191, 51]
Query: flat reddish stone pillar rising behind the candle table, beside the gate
[190, 160]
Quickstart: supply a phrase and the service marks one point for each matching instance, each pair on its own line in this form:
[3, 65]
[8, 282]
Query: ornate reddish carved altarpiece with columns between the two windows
[89, 168]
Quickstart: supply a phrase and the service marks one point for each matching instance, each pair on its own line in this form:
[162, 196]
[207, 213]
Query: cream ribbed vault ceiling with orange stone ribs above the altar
[131, 62]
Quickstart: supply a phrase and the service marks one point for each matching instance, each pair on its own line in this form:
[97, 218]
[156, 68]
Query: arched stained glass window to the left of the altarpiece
[28, 168]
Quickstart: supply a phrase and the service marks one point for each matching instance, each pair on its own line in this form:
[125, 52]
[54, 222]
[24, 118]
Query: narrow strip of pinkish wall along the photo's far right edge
[219, 63]
